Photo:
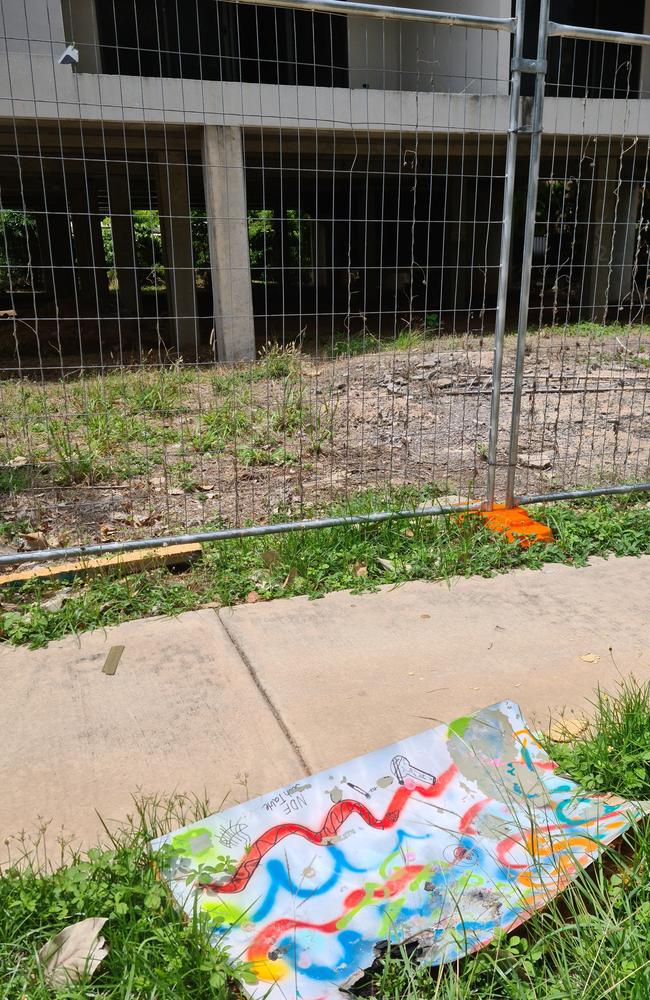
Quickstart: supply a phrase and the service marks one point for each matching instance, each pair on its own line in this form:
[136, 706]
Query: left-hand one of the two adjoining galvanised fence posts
[506, 240]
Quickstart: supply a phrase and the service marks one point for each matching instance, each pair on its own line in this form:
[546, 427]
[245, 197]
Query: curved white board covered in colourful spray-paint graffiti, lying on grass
[438, 840]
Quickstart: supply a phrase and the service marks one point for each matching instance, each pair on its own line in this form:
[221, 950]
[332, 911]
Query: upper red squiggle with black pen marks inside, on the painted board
[334, 820]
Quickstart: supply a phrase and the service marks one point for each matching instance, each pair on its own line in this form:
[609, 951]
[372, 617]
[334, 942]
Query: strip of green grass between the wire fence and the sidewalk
[313, 563]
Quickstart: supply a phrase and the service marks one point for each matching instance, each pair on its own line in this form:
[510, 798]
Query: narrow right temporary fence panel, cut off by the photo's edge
[580, 418]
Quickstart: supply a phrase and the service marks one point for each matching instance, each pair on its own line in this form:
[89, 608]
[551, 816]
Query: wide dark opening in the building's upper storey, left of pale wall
[222, 41]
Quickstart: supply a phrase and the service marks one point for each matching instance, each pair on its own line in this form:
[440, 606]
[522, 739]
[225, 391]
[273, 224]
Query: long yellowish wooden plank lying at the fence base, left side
[121, 562]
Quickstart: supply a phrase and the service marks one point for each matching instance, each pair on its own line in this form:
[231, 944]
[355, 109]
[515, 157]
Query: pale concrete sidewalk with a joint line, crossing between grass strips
[245, 700]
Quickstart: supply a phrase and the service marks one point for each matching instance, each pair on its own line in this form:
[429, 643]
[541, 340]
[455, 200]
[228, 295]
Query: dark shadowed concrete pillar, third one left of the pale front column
[88, 244]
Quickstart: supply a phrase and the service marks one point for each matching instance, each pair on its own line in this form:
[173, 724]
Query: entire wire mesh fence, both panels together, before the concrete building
[261, 263]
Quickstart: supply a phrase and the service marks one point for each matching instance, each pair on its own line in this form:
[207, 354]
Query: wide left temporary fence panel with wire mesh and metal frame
[254, 256]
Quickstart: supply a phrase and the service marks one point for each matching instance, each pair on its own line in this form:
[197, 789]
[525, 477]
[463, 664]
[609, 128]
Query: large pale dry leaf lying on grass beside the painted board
[76, 951]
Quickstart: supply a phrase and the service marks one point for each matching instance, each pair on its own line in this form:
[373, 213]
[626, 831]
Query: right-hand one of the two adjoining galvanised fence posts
[538, 67]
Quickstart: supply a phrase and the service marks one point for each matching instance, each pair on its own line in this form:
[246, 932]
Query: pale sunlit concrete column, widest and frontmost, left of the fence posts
[225, 198]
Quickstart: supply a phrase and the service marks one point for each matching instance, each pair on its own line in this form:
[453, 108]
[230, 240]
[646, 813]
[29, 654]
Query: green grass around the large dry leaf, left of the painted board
[153, 951]
